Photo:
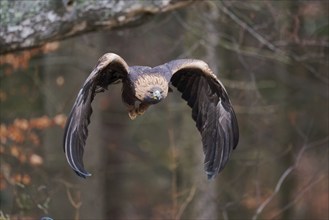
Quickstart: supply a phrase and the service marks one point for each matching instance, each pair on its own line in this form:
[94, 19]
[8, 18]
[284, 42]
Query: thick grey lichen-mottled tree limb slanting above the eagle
[32, 23]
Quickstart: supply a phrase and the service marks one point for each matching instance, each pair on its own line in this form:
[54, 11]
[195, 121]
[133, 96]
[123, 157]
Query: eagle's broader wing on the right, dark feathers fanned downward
[211, 110]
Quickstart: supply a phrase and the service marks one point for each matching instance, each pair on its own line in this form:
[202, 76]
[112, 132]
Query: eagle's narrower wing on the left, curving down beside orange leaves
[110, 68]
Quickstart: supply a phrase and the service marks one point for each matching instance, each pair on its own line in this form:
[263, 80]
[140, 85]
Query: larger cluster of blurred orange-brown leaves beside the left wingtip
[20, 143]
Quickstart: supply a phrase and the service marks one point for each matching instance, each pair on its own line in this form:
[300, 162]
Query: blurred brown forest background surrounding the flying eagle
[272, 56]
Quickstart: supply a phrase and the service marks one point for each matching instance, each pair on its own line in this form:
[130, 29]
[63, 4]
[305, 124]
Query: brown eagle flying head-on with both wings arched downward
[143, 86]
